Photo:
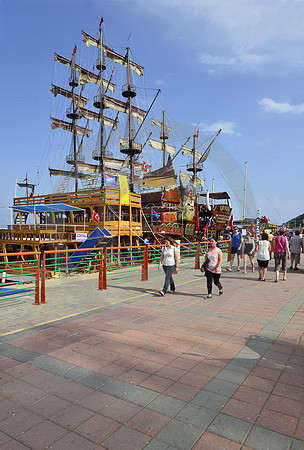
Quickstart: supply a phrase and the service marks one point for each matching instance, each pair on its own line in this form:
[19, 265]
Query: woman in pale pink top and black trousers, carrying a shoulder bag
[214, 267]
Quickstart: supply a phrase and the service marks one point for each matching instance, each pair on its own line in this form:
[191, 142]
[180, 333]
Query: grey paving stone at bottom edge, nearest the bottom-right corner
[260, 438]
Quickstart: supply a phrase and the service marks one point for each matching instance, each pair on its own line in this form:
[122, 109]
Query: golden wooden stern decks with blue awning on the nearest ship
[63, 221]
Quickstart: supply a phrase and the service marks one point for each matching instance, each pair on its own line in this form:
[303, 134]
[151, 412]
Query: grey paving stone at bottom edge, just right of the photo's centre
[179, 434]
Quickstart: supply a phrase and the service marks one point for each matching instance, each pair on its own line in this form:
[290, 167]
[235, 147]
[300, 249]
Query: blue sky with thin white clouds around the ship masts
[228, 64]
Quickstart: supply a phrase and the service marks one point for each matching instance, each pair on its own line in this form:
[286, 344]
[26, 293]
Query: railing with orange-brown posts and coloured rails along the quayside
[132, 262]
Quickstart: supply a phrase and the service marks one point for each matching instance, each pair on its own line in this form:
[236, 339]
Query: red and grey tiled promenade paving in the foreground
[128, 369]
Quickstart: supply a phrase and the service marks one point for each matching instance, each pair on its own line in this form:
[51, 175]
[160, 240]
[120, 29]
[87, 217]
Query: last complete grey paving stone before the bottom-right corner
[230, 428]
